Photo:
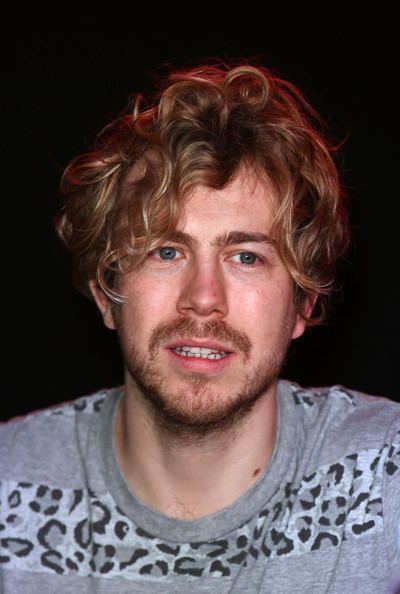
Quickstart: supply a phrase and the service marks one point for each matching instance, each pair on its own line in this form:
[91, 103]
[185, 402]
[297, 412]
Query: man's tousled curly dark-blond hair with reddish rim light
[124, 198]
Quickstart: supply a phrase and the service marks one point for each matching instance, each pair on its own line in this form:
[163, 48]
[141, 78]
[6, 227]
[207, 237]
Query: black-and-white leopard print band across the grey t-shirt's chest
[79, 532]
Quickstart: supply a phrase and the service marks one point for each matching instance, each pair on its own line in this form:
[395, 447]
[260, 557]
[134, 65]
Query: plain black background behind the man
[64, 77]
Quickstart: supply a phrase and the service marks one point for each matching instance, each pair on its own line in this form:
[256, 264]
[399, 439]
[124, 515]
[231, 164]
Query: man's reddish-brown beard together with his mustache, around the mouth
[198, 408]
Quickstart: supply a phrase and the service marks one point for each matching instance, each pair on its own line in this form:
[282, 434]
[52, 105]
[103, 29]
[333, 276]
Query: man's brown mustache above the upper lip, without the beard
[183, 328]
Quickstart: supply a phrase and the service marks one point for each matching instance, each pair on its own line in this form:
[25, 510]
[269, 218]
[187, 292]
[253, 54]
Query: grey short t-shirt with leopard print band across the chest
[324, 516]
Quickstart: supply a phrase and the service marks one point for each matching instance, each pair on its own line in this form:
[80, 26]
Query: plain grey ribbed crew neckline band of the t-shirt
[217, 524]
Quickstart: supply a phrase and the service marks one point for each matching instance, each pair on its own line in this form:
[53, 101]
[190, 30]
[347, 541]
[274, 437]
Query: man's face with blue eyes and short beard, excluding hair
[209, 316]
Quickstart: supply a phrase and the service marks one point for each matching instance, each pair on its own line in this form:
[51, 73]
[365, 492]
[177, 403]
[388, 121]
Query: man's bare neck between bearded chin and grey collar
[191, 478]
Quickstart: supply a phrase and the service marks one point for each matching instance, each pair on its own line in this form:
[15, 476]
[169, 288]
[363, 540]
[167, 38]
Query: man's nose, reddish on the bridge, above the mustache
[203, 292]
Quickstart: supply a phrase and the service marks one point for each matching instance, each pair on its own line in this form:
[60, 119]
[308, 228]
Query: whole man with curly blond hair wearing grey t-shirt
[206, 228]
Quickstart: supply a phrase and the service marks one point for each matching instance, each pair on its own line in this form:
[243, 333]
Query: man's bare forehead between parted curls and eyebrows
[247, 202]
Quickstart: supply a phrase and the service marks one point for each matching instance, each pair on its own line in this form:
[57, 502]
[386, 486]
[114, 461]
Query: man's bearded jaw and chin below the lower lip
[196, 407]
